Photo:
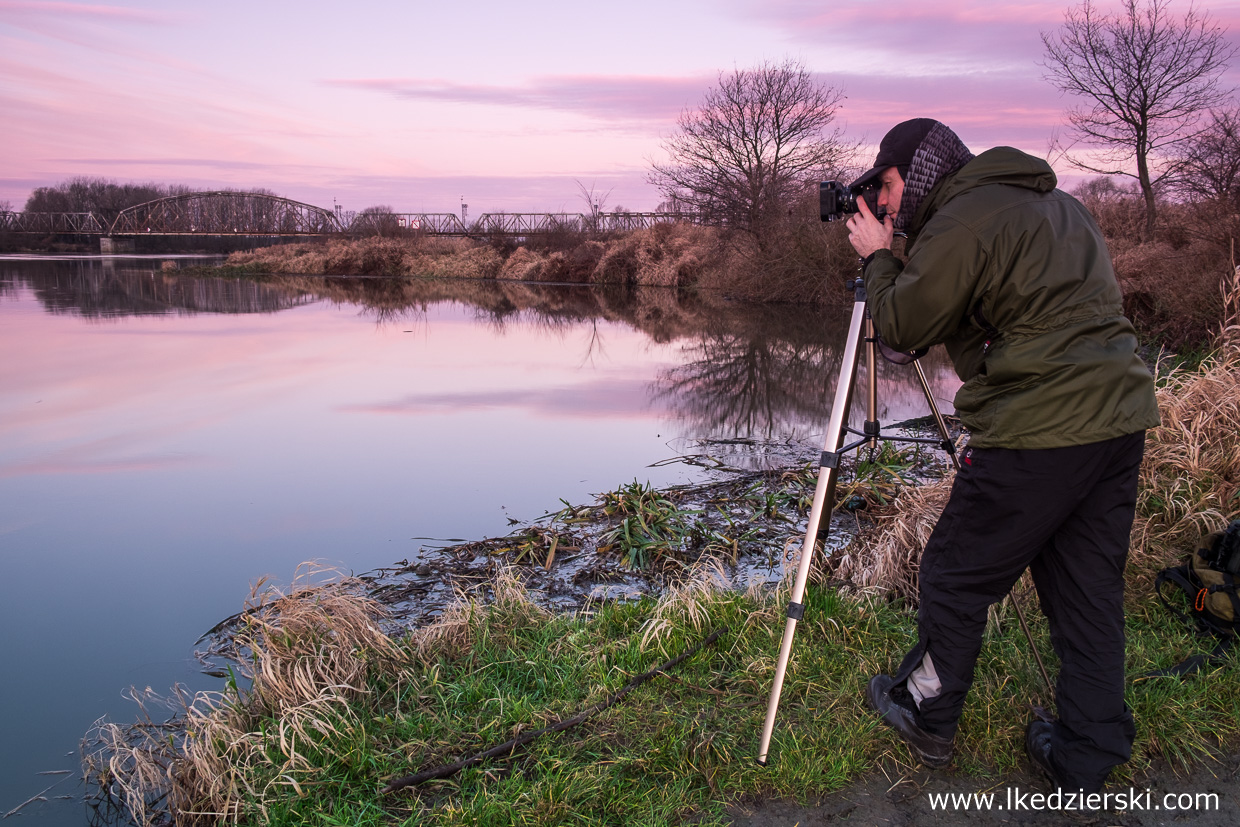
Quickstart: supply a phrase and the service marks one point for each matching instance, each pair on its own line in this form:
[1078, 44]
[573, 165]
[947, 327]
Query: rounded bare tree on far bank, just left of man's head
[742, 157]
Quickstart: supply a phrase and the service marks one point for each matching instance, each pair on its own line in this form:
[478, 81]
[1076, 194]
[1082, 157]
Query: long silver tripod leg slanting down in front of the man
[824, 498]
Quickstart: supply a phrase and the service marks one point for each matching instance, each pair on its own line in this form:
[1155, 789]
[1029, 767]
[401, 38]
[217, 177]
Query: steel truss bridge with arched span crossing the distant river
[247, 214]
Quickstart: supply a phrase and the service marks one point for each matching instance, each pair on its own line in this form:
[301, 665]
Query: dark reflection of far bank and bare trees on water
[746, 371]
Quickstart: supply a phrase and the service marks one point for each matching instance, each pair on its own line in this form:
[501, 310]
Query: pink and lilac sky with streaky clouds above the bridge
[418, 105]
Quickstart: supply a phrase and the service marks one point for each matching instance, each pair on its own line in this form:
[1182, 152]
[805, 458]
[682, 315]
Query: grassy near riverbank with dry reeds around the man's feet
[337, 711]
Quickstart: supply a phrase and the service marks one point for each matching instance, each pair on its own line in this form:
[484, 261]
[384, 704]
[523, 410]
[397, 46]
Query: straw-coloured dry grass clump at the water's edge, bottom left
[312, 658]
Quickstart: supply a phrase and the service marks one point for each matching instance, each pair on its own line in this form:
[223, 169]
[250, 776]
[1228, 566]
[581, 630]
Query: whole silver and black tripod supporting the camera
[861, 335]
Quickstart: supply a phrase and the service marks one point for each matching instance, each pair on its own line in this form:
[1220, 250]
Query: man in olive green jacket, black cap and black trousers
[1014, 277]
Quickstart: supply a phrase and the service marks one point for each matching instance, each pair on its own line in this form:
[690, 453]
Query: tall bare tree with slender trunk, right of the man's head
[1146, 79]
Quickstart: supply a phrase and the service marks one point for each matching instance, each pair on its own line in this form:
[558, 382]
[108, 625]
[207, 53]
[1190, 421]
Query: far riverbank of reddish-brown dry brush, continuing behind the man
[1175, 285]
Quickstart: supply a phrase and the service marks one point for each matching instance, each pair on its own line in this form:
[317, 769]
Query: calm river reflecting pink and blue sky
[166, 442]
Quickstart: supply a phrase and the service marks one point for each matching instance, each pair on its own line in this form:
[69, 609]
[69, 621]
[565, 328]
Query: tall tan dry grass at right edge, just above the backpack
[1191, 475]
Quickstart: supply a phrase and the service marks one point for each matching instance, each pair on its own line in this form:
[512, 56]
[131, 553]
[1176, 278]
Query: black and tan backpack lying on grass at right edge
[1210, 582]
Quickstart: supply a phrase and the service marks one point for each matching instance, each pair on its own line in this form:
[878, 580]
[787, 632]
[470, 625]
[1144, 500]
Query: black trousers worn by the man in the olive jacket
[1066, 514]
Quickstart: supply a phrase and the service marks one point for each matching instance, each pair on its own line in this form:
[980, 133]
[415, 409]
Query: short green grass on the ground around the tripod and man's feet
[683, 746]
